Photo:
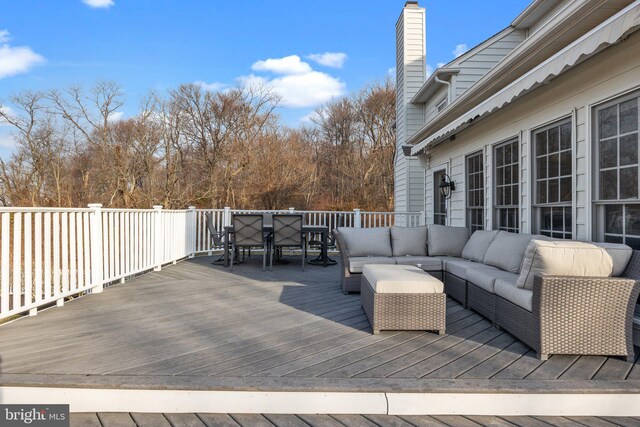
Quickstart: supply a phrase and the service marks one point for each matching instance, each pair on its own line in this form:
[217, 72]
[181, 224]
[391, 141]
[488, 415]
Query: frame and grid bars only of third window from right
[496, 209]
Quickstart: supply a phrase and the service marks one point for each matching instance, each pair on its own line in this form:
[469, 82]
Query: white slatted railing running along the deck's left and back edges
[49, 254]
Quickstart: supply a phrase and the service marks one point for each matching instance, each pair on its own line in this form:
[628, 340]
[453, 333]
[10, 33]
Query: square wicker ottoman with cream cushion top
[402, 298]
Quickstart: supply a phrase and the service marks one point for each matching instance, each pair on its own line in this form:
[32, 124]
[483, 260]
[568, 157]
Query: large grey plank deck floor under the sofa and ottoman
[199, 326]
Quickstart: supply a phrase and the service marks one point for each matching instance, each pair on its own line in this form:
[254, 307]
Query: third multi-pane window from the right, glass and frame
[507, 182]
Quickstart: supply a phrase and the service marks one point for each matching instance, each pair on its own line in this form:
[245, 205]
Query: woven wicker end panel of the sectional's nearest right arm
[584, 315]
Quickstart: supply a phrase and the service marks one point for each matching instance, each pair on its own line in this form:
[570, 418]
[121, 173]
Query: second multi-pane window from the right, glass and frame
[552, 181]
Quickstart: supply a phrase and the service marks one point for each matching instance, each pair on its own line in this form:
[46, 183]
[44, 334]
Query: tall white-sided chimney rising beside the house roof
[410, 75]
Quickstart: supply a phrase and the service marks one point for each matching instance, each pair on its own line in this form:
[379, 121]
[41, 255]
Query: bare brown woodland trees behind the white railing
[190, 146]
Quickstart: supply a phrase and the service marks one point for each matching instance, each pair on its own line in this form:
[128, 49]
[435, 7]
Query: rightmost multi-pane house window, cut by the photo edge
[616, 162]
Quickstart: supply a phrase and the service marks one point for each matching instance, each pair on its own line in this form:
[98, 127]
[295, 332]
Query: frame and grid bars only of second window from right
[537, 208]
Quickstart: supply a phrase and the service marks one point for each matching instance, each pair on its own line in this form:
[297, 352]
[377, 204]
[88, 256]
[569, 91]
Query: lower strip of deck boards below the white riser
[270, 420]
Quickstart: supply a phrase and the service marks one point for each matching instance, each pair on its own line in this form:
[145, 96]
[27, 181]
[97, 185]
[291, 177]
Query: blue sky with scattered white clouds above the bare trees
[159, 44]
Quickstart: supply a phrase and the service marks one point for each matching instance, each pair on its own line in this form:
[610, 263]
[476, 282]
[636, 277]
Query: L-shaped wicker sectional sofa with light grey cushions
[574, 314]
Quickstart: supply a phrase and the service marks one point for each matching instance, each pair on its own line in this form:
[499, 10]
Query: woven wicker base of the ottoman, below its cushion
[404, 312]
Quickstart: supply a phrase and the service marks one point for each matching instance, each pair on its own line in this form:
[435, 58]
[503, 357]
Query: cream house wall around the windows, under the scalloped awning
[573, 94]
